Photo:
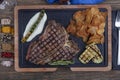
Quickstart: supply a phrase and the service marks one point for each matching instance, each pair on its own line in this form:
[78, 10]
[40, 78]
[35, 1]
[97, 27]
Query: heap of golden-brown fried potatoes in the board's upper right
[88, 24]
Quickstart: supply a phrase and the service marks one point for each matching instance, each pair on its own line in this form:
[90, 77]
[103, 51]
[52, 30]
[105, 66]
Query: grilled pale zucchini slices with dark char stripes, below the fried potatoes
[93, 53]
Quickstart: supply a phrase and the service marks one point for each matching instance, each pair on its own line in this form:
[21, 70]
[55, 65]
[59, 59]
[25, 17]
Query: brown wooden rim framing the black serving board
[57, 7]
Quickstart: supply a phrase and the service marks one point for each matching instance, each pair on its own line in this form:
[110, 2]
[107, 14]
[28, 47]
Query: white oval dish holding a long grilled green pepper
[30, 32]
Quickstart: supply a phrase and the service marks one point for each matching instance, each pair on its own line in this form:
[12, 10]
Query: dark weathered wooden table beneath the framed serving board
[63, 73]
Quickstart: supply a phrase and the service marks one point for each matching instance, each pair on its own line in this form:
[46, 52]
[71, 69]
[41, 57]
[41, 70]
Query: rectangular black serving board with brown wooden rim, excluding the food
[62, 14]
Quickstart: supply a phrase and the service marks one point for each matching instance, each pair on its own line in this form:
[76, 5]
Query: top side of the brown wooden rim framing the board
[60, 6]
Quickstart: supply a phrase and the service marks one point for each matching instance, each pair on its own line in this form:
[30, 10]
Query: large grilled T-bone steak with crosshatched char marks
[52, 45]
